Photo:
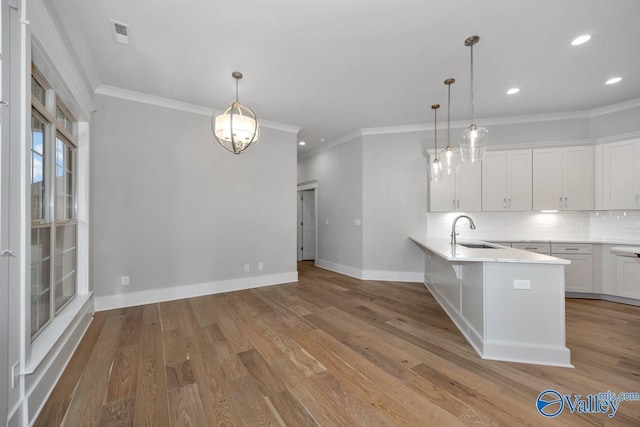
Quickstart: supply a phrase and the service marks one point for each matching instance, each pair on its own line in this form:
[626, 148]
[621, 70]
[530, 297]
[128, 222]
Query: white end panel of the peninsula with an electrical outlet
[525, 325]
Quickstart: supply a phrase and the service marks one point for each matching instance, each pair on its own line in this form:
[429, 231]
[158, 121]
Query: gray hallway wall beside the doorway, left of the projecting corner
[339, 194]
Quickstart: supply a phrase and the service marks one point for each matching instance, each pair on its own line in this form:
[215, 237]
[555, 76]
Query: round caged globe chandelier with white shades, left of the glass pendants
[236, 129]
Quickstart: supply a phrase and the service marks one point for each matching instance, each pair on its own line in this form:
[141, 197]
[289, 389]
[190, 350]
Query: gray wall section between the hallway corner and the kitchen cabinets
[394, 201]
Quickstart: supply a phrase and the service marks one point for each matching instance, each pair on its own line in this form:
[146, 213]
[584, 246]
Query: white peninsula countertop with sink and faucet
[442, 248]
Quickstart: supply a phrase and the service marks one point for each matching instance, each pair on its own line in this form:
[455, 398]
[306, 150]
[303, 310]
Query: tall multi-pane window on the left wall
[53, 205]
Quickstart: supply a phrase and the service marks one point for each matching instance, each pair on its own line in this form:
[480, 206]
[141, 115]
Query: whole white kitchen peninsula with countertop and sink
[508, 303]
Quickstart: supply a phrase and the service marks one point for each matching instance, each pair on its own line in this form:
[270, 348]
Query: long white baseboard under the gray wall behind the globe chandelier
[152, 296]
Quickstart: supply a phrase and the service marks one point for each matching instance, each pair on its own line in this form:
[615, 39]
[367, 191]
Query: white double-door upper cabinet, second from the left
[506, 181]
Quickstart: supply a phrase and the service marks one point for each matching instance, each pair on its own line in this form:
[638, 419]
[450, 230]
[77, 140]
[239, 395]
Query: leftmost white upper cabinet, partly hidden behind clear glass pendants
[459, 192]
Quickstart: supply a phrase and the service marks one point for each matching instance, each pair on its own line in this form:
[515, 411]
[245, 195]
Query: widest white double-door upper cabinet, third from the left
[563, 178]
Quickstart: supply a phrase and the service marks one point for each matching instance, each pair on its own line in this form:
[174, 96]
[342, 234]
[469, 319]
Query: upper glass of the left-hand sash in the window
[38, 169]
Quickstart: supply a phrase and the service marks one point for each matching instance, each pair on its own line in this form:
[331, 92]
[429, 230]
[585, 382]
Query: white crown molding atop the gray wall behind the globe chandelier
[159, 101]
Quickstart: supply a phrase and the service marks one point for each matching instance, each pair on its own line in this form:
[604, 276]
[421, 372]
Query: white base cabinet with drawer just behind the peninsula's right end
[578, 274]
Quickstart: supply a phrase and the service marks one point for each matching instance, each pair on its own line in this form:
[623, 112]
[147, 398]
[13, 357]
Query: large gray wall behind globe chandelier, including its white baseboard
[179, 214]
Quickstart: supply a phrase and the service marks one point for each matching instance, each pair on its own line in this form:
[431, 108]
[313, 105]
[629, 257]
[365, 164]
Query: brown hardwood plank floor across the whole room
[332, 351]
